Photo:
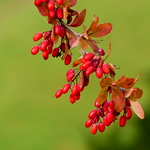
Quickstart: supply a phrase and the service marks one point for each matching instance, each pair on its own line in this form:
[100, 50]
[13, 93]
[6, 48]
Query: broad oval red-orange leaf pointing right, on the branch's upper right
[101, 30]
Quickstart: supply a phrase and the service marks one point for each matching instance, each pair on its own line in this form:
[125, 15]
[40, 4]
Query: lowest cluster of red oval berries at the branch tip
[105, 114]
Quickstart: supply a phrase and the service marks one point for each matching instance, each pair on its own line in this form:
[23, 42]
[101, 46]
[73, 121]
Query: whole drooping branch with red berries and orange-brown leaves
[116, 99]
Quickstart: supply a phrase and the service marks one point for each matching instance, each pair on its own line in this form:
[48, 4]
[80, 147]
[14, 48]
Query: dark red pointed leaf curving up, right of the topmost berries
[79, 19]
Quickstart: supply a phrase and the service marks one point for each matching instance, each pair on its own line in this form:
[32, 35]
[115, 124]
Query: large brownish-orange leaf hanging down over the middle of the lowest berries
[118, 98]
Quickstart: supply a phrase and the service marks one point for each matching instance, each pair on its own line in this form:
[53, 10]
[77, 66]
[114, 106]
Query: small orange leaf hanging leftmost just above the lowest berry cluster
[102, 97]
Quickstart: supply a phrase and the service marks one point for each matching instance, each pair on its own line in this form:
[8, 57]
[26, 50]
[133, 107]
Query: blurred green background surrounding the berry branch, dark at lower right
[31, 118]
